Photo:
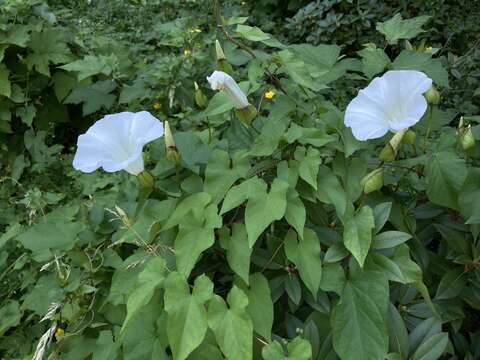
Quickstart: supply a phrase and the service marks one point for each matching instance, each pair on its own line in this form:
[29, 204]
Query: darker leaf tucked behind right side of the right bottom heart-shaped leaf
[260, 305]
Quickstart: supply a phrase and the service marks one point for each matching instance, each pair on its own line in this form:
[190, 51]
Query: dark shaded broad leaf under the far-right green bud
[445, 174]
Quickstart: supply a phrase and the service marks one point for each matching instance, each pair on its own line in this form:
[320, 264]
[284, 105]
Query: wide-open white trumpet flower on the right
[392, 102]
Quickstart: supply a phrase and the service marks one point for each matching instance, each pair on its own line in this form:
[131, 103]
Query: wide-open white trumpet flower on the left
[116, 141]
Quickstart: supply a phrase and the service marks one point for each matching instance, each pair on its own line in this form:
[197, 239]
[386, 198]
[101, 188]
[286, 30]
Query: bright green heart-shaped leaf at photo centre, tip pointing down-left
[263, 208]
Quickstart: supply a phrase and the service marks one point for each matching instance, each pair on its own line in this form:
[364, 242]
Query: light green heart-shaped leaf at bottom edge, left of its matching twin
[187, 317]
